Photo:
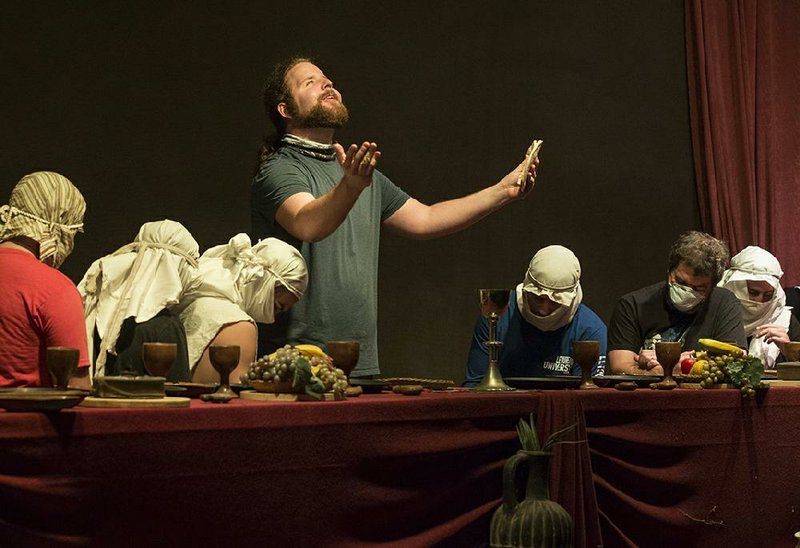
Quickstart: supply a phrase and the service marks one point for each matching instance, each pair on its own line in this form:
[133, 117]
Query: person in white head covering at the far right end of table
[754, 277]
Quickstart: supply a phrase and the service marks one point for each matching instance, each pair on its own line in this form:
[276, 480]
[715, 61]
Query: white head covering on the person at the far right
[756, 264]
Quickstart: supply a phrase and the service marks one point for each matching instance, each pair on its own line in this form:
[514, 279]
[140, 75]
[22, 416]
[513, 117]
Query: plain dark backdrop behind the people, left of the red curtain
[154, 110]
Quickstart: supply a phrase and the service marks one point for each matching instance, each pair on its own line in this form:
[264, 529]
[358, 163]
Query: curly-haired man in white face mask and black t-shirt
[685, 307]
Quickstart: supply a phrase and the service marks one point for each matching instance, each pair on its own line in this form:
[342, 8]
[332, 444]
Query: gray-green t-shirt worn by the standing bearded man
[341, 301]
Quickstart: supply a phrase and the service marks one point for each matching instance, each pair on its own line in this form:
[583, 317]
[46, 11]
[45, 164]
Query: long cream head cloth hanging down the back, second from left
[138, 280]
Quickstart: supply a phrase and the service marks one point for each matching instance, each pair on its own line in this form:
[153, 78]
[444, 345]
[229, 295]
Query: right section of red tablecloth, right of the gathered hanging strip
[696, 468]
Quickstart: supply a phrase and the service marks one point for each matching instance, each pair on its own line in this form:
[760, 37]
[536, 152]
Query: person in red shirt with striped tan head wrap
[39, 306]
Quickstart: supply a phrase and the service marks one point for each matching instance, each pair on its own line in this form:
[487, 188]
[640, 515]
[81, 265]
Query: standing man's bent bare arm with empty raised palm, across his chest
[312, 219]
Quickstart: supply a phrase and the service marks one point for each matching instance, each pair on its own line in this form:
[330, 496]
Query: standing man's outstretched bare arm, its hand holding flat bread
[417, 220]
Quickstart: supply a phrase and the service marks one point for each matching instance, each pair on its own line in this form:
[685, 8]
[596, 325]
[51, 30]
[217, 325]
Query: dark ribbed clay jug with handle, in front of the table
[535, 521]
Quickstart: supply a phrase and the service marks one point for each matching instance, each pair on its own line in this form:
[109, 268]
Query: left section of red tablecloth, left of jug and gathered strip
[375, 470]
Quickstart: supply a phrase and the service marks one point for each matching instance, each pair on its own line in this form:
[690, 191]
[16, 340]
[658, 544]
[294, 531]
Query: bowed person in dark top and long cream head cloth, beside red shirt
[129, 297]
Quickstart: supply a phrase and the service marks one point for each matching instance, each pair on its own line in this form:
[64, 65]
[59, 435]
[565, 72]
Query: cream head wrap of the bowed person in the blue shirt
[554, 272]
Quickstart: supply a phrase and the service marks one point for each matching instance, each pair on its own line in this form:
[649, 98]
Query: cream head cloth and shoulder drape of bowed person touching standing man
[238, 284]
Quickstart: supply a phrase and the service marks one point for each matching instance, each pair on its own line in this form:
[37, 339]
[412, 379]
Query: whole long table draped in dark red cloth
[660, 469]
